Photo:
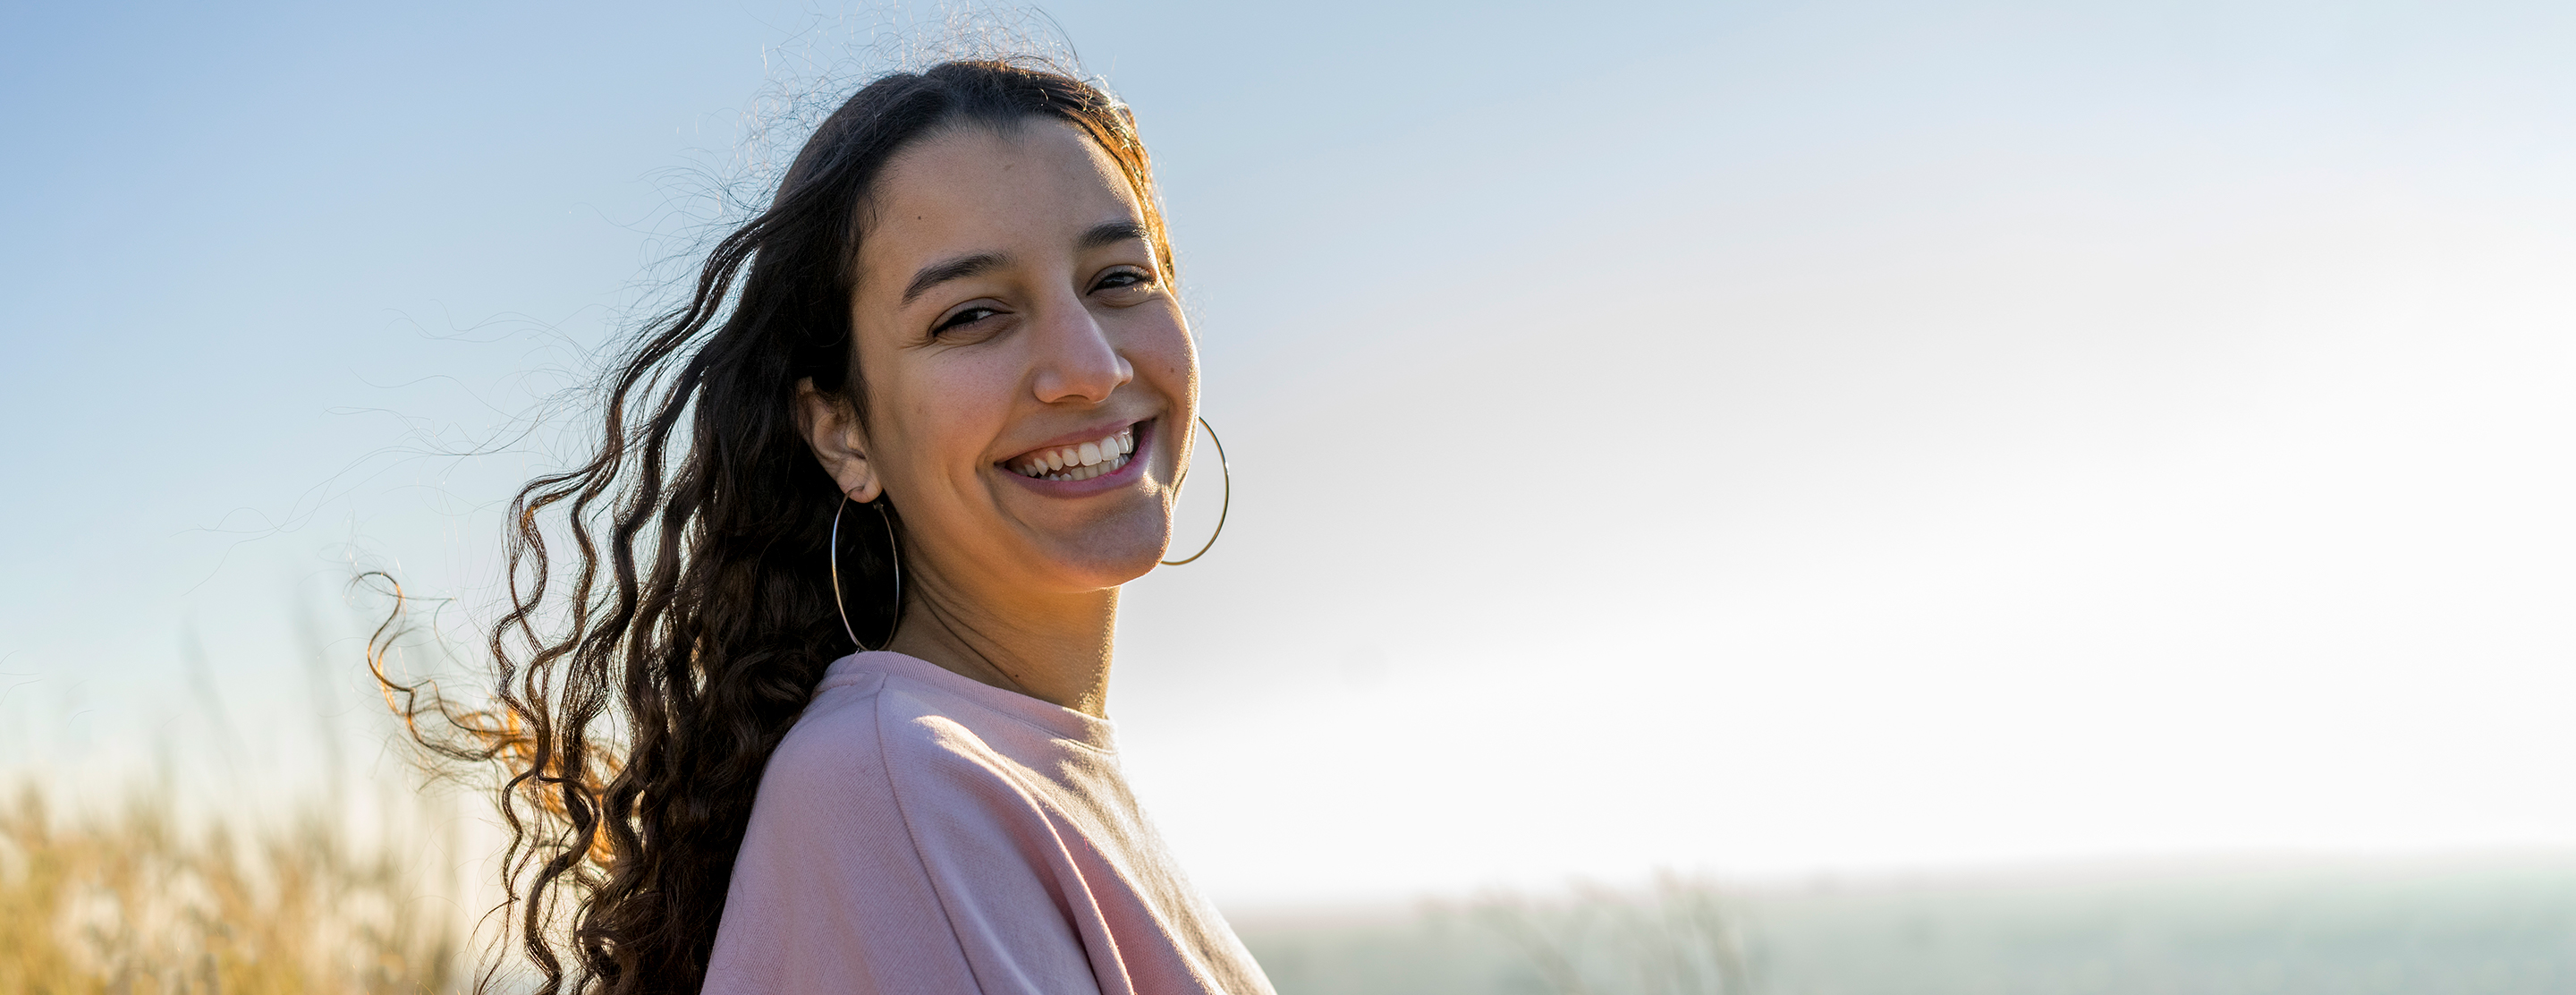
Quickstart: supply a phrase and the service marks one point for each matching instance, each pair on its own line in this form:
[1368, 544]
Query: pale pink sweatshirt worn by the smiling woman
[923, 834]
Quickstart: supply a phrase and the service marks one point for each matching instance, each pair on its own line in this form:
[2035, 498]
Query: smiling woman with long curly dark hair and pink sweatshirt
[823, 708]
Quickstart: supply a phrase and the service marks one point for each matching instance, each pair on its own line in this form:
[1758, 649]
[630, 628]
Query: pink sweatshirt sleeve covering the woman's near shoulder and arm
[882, 860]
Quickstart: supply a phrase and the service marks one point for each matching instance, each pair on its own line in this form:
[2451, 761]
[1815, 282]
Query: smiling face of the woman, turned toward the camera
[1029, 375]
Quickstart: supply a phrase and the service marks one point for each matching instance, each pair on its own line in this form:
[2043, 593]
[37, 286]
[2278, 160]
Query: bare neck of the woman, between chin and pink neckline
[1050, 648]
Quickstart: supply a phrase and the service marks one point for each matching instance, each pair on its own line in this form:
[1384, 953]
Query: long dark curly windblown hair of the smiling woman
[643, 687]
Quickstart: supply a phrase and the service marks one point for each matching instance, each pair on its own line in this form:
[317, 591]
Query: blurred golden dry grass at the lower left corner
[133, 903]
